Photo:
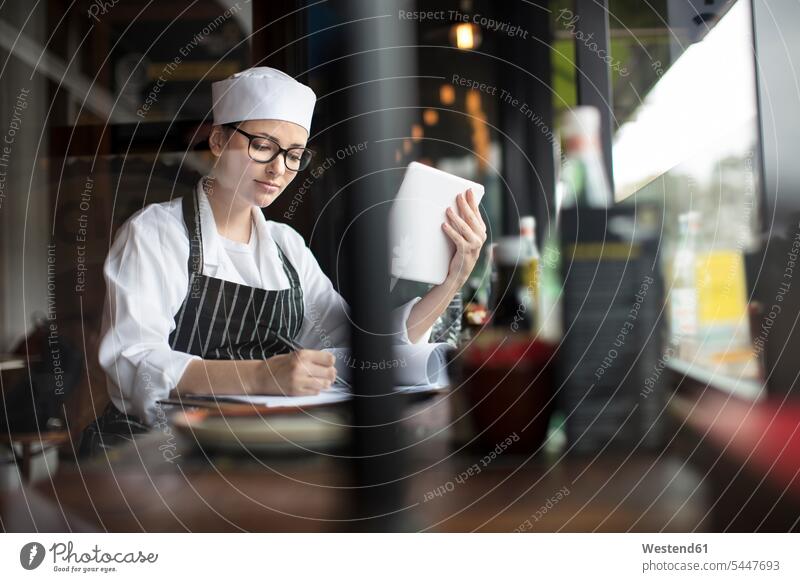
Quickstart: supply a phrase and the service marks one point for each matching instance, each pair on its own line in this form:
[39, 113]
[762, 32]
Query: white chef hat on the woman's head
[262, 93]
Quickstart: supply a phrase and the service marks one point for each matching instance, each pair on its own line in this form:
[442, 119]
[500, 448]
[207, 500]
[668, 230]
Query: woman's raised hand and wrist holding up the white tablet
[468, 233]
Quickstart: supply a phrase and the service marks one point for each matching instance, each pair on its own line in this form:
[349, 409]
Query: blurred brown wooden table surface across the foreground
[135, 489]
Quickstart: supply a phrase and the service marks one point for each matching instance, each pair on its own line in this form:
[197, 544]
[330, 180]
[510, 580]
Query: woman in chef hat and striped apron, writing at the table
[206, 295]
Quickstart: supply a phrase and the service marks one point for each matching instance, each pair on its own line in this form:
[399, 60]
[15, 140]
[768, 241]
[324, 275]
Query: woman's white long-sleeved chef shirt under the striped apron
[147, 279]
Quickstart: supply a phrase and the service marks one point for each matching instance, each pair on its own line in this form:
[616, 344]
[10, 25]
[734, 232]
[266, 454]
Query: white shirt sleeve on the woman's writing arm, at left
[141, 301]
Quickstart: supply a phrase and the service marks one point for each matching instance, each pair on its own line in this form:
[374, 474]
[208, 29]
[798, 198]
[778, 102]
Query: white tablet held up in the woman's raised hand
[420, 249]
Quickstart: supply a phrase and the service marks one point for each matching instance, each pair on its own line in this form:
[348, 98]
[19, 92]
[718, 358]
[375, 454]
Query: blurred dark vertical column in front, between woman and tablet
[378, 468]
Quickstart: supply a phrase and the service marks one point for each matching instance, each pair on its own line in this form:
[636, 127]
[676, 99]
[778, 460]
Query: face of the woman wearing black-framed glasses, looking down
[254, 183]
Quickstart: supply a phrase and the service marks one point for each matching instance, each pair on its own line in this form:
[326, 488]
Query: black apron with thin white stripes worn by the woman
[218, 320]
